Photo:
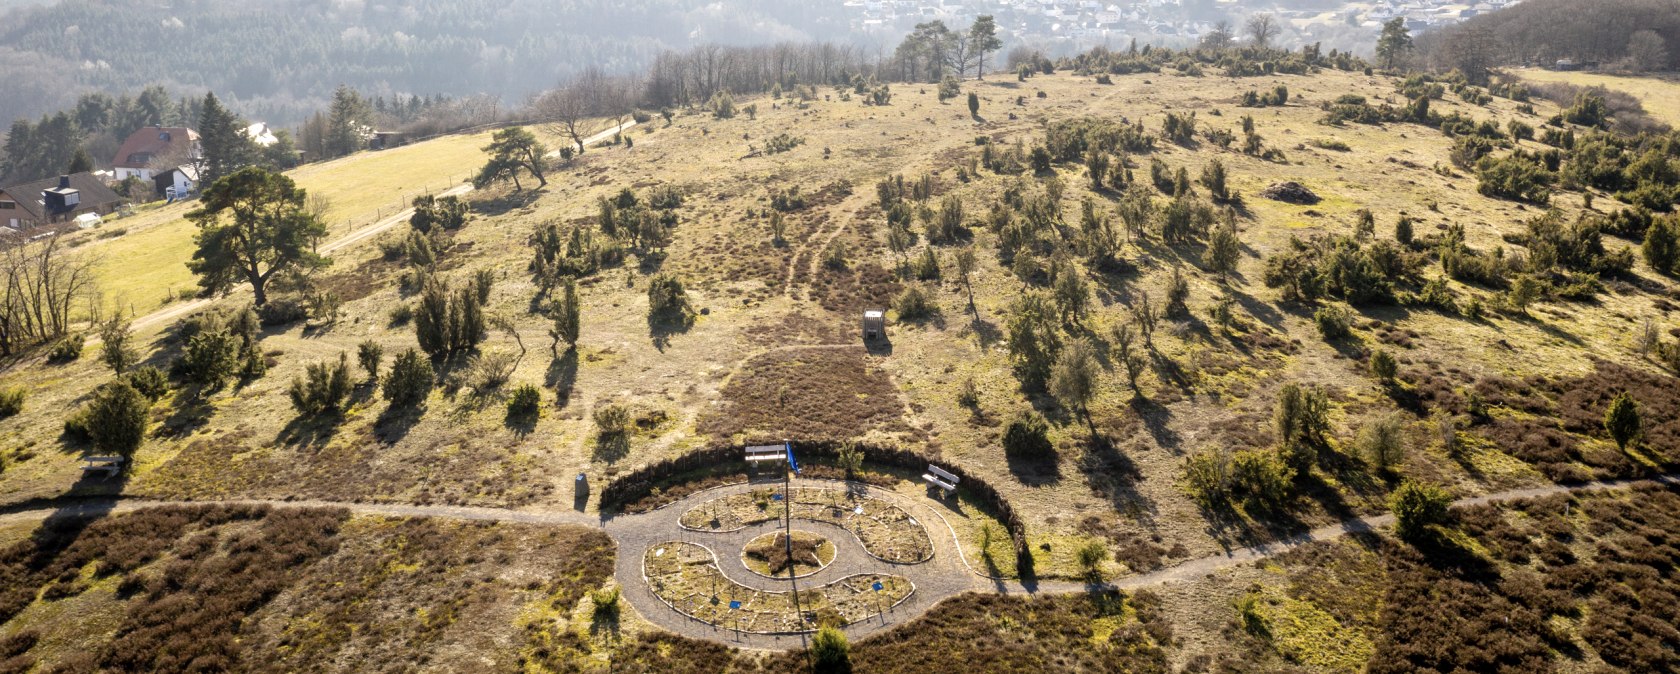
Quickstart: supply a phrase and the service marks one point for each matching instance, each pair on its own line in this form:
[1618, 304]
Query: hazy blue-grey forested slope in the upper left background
[280, 61]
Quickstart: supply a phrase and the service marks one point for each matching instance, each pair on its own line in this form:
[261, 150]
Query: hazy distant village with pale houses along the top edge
[1172, 23]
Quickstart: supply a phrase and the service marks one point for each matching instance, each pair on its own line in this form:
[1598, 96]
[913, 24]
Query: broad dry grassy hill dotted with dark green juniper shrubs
[1095, 303]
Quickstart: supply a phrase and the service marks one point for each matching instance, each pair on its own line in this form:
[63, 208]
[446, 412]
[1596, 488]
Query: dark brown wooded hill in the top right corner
[1620, 34]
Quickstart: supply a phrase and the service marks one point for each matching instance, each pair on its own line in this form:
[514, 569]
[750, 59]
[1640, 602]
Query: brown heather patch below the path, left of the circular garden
[258, 589]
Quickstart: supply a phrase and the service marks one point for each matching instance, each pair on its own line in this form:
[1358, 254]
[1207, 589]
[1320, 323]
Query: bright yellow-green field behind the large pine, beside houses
[147, 266]
